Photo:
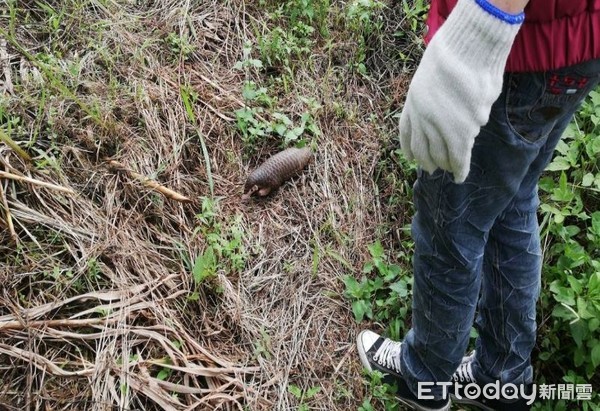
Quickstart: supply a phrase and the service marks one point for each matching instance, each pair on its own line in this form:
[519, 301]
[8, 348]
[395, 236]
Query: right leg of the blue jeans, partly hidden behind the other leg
[512, 280]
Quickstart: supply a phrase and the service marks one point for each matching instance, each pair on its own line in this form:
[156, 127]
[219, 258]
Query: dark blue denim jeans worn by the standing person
[477, 244]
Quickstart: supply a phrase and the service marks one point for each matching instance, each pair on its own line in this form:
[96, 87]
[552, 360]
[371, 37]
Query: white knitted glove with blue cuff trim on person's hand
[455, 86]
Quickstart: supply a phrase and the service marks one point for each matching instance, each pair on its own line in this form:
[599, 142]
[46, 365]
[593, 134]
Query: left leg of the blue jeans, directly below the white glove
[451, 229]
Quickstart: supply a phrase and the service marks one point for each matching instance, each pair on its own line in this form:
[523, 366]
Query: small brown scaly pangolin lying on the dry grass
[273, 172]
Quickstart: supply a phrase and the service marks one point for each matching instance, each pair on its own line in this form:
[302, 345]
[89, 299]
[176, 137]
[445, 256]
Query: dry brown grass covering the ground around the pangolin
[98, 307]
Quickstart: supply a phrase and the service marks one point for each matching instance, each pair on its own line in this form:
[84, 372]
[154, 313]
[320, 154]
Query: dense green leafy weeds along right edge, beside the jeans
[570, 302]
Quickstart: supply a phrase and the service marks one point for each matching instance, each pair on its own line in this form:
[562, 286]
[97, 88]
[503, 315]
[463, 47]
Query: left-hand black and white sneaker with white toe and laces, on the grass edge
[383, 354]
